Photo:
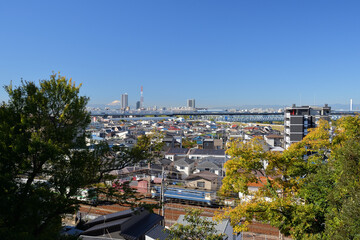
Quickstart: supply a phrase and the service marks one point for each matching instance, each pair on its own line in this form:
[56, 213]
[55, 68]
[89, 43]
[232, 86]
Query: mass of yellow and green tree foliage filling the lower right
[309, 192]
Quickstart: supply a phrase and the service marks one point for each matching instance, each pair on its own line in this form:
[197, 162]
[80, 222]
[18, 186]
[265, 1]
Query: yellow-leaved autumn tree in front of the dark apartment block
[281, 178]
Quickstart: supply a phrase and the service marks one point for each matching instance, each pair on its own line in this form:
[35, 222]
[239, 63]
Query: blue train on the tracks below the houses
[187, 195]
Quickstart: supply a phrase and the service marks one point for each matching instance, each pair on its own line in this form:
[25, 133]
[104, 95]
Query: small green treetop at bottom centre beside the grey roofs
[197, 228]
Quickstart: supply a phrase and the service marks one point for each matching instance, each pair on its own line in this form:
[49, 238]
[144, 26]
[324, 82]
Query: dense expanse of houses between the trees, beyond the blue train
[198, 167]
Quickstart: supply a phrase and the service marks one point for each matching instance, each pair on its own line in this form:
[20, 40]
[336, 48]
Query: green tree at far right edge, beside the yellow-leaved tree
[342, 220]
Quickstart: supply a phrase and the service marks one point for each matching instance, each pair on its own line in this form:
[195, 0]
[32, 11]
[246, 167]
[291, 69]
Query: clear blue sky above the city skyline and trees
[220, 52]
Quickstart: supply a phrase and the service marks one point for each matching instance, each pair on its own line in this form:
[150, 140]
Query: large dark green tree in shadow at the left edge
[44, 160]
